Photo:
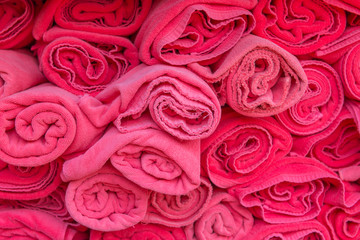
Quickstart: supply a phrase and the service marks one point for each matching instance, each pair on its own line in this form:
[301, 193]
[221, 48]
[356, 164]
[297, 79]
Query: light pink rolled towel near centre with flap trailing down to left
[151, 158]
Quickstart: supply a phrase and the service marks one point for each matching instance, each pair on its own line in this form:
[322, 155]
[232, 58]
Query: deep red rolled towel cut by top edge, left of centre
[112, 17]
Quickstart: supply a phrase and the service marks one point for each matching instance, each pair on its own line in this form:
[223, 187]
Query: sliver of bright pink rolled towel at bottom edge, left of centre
[141, 231]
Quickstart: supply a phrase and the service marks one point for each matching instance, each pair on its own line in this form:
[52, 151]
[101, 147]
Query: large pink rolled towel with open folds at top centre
[192, 31]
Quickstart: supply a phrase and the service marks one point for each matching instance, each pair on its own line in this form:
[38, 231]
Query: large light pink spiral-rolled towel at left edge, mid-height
[42, 123]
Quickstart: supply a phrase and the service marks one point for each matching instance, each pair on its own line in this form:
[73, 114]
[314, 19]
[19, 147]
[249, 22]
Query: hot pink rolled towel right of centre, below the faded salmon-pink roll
[242, 148]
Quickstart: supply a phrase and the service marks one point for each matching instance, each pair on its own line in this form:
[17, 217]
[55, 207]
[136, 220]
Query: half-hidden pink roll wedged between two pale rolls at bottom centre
[179, 210]
